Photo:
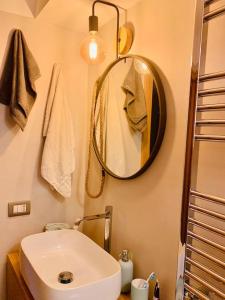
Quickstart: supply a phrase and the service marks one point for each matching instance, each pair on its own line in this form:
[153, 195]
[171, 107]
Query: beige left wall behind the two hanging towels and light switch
[20, 151]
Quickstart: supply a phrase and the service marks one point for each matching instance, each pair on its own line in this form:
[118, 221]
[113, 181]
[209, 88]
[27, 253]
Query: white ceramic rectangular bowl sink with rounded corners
[43, 256]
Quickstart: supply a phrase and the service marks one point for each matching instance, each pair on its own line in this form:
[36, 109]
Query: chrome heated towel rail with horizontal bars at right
[204, 271]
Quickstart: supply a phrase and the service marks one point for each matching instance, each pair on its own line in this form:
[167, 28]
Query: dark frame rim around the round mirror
[162, 115]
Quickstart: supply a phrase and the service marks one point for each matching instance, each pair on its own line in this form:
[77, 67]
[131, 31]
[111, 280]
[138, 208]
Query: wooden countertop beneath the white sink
[14, 279]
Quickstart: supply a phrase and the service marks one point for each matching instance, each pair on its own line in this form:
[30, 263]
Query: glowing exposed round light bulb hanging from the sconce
[92, 49]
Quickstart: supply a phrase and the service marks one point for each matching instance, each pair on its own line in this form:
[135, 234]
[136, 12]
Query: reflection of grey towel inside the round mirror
[135, 105]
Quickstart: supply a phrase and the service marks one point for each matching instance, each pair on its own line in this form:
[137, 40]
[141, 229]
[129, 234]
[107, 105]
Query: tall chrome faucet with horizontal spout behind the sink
[108, 225]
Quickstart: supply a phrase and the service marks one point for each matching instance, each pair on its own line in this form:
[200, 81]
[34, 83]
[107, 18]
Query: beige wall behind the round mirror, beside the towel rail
[146, 216]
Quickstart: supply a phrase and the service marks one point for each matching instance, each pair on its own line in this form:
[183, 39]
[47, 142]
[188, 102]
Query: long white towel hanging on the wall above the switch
[58, 159]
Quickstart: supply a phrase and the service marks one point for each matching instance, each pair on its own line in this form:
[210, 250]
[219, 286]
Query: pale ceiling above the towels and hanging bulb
[73, 15]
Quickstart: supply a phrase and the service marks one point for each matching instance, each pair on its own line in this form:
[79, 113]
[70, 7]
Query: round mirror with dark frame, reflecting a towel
[129, 117]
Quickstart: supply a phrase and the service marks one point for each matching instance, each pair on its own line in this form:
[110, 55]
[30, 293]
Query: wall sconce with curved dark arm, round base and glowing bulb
[92, 48]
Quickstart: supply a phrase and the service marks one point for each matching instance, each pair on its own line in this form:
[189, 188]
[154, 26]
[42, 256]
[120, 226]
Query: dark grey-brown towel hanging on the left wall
[17, 88]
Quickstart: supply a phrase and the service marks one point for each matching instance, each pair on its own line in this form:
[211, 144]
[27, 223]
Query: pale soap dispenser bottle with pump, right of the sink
[126, 271]
